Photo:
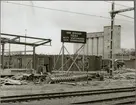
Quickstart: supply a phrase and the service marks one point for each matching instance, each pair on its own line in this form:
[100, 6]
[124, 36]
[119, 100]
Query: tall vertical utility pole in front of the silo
[111, 42]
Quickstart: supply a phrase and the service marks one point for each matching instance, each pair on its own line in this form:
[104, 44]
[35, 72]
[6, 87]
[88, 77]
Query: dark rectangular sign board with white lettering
[73, 36]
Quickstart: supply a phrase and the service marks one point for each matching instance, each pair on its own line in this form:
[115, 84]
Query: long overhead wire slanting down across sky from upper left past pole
[64, 11]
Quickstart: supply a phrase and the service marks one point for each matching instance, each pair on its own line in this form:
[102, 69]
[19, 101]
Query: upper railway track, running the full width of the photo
[20, 98]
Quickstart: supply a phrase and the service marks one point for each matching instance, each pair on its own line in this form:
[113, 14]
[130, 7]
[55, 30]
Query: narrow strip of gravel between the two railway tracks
[68, 101]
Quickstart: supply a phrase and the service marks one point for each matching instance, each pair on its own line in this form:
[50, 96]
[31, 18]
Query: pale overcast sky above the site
[47, 23]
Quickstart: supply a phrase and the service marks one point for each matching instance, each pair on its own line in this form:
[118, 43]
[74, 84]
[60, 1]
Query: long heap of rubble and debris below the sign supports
[24, 79]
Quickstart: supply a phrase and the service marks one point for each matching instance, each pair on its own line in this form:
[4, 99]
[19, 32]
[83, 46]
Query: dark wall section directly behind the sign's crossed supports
[94, 63]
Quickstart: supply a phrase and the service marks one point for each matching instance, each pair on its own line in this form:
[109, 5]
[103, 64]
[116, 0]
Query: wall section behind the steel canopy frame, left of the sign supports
[27, 61]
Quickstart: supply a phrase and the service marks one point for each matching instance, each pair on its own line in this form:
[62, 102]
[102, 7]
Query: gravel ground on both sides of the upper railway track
[27, 89]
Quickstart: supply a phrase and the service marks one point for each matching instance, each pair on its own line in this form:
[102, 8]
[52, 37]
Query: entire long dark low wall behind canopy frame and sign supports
[93, 61]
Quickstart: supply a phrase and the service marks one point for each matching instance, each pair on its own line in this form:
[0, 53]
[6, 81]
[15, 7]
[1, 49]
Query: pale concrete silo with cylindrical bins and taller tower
[98, 43]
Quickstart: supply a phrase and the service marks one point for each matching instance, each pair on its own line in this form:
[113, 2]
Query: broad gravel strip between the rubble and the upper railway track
[47, 88]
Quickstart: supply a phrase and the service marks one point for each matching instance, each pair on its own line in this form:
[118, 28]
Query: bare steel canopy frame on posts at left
[18, 39]
